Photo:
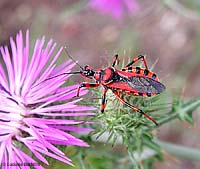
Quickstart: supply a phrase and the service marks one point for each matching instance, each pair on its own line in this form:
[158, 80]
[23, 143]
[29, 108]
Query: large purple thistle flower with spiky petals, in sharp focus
[32, 109]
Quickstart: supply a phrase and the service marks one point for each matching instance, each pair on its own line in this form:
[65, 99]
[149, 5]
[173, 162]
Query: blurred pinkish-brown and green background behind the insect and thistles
[167, 31]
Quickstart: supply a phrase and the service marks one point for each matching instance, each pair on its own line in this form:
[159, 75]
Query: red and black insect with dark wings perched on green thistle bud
[131, 80]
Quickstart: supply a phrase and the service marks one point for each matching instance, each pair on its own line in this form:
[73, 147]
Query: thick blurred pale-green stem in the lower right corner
[180, 151]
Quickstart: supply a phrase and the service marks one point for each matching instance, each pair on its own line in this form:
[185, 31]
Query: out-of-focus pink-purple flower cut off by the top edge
[116, 8]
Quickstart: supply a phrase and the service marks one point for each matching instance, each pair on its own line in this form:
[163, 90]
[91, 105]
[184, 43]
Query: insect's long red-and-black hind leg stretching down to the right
[133, 107]
